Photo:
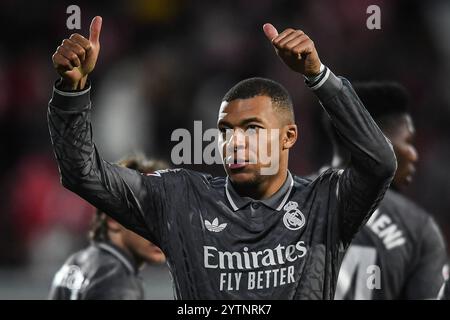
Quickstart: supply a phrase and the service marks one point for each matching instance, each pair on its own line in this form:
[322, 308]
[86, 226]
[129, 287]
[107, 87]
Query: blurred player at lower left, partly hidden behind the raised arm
[109, 268]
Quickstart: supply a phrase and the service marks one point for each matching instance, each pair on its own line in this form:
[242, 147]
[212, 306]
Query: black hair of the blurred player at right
[384, 100]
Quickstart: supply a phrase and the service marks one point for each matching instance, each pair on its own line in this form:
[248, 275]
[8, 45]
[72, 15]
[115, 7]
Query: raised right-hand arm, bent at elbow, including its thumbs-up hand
[363, 183]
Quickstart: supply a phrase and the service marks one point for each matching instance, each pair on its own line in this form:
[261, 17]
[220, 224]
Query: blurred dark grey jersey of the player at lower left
[100, 272]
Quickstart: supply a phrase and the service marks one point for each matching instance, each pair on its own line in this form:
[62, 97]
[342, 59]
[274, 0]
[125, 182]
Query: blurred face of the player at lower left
[141, 248]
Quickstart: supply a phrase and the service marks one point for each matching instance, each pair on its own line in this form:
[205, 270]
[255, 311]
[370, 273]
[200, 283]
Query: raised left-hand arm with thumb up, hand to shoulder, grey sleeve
[120, 192]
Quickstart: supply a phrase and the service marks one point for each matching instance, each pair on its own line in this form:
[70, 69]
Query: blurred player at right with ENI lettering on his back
[400, 253]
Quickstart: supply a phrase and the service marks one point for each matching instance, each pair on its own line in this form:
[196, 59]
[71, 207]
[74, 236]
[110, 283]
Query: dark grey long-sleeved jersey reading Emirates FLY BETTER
[223, 246]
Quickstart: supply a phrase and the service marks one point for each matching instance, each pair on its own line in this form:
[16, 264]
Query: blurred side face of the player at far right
[402, 138]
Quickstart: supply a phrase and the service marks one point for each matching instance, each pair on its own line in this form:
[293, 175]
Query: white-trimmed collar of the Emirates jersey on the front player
[275, 202]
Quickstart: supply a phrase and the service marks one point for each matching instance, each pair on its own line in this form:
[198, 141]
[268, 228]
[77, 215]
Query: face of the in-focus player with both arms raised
[250, 139]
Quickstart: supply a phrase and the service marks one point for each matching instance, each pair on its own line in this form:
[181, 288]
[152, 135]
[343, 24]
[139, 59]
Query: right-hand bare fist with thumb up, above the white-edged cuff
[295, 49]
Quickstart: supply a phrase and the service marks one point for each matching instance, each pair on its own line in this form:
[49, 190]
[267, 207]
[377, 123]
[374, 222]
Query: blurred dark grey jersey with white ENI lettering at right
[399, 254]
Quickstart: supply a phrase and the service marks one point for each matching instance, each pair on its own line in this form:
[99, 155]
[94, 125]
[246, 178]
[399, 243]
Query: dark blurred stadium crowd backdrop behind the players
[164, 64]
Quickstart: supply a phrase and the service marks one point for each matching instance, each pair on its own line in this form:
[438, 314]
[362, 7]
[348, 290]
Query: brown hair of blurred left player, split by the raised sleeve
[99, 227]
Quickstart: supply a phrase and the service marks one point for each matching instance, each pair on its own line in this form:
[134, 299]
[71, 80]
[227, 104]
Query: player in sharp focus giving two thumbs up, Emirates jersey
[253, 234]
